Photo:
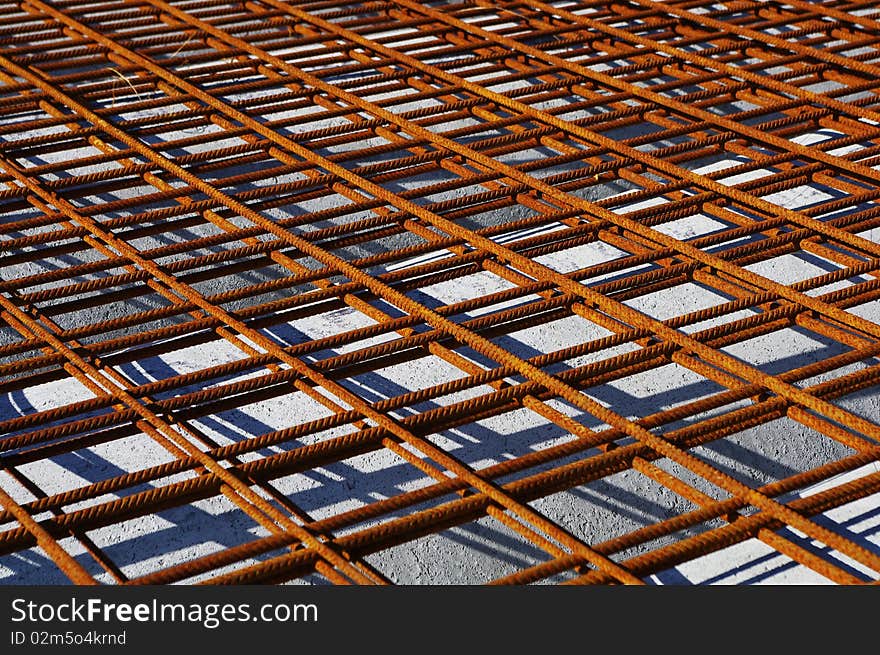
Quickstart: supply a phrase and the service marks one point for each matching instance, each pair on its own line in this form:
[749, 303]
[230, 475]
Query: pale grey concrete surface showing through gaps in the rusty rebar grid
[486, 548]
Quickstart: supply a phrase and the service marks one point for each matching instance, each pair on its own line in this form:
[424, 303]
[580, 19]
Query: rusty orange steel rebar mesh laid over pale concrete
[244, 70]
